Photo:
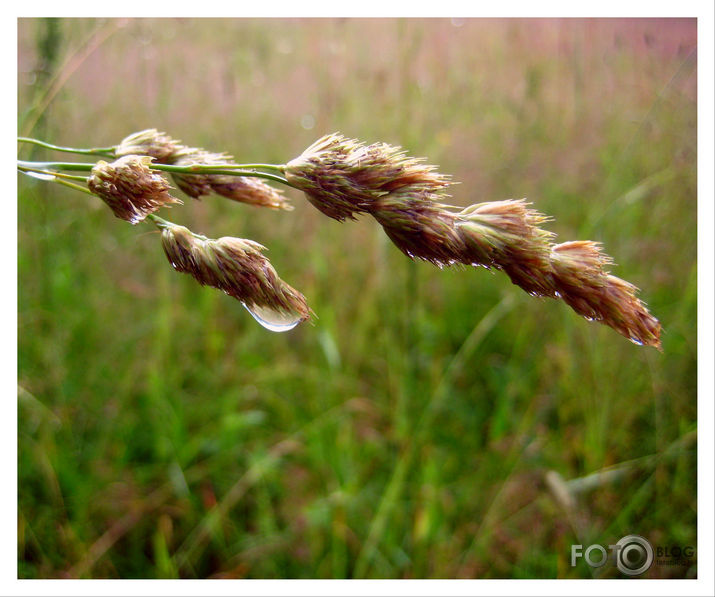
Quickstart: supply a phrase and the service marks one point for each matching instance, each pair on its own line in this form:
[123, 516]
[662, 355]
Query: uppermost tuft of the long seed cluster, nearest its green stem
[343, 177]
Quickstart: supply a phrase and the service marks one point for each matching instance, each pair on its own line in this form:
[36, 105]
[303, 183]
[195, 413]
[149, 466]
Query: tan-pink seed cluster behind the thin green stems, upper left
[172, 152]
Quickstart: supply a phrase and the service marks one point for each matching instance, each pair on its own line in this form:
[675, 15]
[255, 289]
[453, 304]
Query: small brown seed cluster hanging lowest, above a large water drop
[234, 265]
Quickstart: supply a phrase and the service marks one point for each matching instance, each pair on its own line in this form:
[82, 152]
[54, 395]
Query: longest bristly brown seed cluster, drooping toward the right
[342, 178]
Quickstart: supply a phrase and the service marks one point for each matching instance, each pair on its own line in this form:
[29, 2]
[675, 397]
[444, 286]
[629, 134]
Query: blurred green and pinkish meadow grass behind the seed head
[423, 424]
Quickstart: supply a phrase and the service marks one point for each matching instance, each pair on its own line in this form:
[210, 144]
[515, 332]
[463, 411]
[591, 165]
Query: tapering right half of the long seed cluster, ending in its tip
[506, 235]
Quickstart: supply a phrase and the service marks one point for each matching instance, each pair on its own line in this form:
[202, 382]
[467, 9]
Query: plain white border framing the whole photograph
[704, 585]
